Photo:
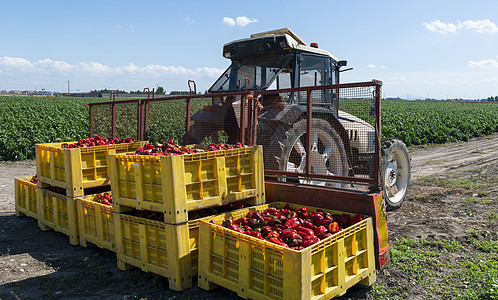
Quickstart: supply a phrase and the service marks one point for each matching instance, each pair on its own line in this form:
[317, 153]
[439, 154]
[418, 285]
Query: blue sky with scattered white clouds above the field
[437, 49]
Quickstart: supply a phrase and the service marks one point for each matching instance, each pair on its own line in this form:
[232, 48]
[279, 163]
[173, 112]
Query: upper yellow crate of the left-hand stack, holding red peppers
[76, 169]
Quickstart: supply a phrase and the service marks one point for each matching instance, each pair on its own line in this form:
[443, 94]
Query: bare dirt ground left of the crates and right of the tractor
[43, 265]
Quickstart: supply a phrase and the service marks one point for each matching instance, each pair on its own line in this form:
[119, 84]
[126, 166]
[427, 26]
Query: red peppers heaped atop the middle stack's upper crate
[171, 148]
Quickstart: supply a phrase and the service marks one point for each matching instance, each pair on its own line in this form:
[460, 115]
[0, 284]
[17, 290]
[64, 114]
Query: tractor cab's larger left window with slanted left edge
[252, 73]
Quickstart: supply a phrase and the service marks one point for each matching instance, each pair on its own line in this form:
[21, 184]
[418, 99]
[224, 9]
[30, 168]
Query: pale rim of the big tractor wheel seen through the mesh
[323, 162]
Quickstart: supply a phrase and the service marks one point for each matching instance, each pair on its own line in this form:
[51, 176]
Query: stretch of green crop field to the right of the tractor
[438, 122]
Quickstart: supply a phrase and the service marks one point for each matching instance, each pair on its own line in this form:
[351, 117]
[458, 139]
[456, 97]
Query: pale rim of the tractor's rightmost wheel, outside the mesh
[396, 176]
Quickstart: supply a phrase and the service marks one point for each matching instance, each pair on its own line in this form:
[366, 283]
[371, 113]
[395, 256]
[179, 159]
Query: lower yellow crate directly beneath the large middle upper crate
[164, 249]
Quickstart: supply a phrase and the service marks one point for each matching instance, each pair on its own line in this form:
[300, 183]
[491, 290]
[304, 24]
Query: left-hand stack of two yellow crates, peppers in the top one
[67, 173]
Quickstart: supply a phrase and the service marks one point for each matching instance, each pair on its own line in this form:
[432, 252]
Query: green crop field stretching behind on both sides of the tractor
[26, 121]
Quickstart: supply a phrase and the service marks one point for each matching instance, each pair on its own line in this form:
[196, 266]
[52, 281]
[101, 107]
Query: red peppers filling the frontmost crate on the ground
[295, 229]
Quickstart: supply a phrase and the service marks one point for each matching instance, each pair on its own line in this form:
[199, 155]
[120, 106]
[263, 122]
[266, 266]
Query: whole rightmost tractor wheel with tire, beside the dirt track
[395, 173]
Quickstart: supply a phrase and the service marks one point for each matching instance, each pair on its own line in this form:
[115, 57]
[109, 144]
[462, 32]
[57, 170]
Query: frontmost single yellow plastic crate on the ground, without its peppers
[257, 269]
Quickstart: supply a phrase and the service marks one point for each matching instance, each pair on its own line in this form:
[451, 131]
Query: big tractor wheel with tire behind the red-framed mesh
[328, 154]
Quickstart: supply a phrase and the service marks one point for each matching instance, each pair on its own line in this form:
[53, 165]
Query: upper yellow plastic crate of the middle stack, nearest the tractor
[178, 184]
